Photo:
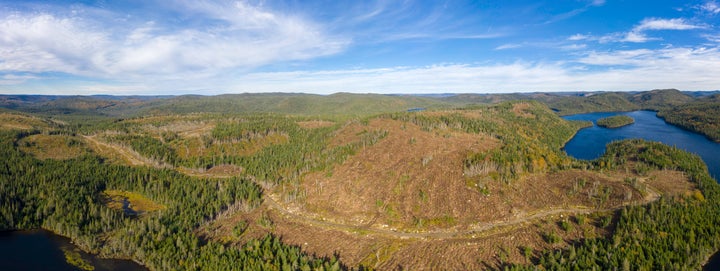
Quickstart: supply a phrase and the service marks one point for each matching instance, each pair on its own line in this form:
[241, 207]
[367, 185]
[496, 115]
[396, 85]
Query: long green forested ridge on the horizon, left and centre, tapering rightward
[282, 103]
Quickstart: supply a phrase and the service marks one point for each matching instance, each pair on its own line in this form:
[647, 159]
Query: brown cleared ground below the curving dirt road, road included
[449, 249]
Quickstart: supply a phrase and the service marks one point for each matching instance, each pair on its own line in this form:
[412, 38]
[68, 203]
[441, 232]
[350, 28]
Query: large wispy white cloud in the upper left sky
[242, 37]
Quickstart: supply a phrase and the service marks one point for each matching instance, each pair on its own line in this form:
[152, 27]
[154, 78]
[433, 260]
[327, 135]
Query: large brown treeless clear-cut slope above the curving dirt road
[410, 179]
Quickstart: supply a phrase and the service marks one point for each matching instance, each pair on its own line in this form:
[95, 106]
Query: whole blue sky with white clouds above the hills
[214, 47]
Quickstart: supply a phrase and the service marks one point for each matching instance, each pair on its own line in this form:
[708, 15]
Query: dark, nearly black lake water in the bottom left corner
[43, 250]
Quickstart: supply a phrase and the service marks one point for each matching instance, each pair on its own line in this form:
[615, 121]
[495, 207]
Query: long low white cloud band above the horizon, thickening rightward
[642, 69]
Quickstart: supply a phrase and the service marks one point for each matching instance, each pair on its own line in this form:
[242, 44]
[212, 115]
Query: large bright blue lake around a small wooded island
[589, 143]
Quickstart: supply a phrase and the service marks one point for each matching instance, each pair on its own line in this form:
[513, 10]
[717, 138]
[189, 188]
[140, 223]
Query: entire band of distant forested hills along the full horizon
[565, 103]
